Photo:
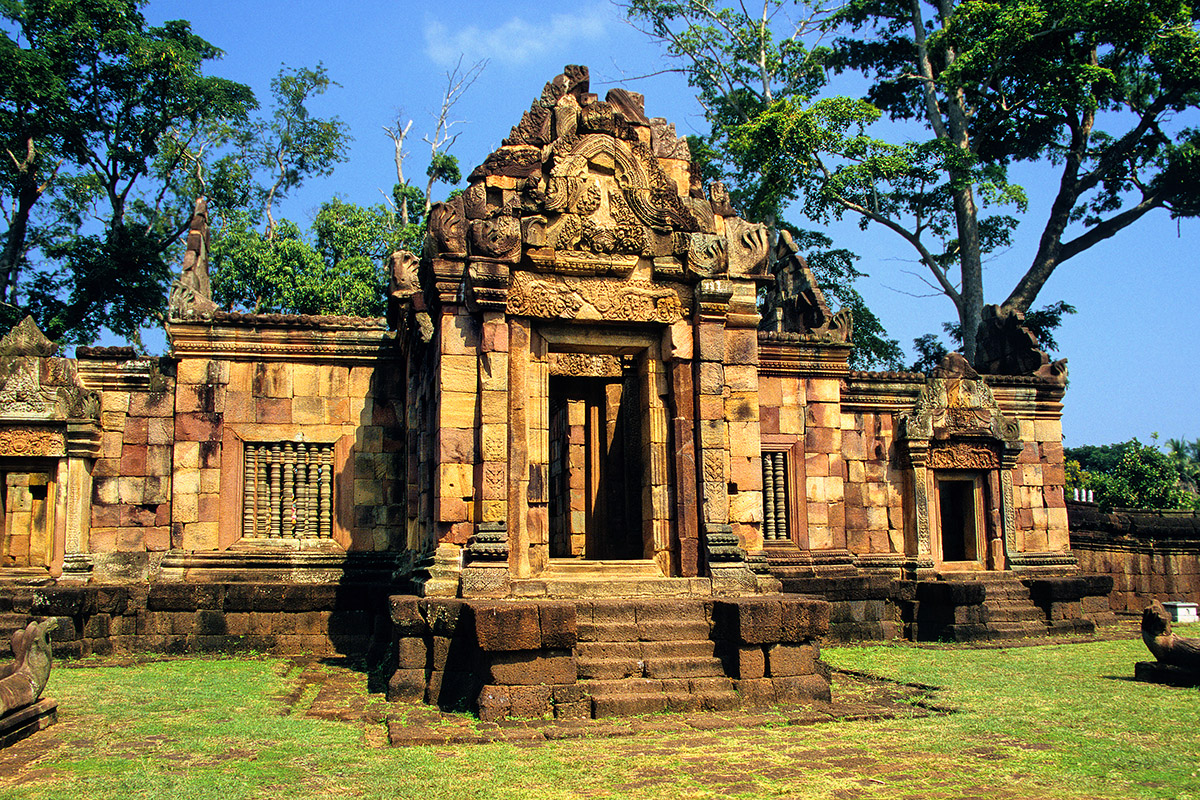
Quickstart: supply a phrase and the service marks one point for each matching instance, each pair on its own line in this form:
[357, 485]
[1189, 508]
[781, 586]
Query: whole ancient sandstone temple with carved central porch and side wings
[605, 455]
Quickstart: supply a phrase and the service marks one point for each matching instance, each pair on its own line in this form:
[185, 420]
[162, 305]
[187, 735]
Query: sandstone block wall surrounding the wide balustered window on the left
[220, 406]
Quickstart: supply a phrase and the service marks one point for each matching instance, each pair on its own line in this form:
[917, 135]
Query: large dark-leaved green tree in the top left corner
[89, 94]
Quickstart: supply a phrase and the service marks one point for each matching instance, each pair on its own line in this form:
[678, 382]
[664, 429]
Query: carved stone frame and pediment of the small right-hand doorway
[957, 426]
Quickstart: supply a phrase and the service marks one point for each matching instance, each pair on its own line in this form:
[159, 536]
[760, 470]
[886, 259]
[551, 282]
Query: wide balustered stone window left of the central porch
[289, 491]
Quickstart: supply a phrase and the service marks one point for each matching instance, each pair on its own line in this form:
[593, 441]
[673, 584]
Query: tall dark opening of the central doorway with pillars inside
[596, 467]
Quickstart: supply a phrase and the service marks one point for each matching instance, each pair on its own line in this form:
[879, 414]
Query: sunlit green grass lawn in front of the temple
[1058, 721]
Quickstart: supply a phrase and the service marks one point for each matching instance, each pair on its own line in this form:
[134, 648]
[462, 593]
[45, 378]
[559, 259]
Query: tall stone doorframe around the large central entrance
[530, 454]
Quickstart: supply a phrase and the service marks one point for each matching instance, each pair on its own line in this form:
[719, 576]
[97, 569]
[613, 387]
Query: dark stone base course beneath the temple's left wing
[278, 618]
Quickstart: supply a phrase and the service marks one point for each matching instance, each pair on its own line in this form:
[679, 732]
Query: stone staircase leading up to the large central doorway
[651, 657]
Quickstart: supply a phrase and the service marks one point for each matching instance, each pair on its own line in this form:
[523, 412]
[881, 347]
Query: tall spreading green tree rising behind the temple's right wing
[1088, 89]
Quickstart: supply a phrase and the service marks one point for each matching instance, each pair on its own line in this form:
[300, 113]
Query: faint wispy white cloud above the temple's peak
[517, 41]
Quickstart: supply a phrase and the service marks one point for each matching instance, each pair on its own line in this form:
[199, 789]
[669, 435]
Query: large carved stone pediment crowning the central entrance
[590, 189]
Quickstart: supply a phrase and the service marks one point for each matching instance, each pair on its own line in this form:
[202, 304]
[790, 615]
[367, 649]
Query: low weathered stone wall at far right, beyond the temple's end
[1149, 555]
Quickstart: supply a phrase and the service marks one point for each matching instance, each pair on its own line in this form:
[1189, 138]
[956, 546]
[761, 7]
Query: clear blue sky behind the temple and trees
[1133, 347]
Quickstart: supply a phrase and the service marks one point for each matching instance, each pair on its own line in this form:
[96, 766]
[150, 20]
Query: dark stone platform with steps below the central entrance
[599, 658]
